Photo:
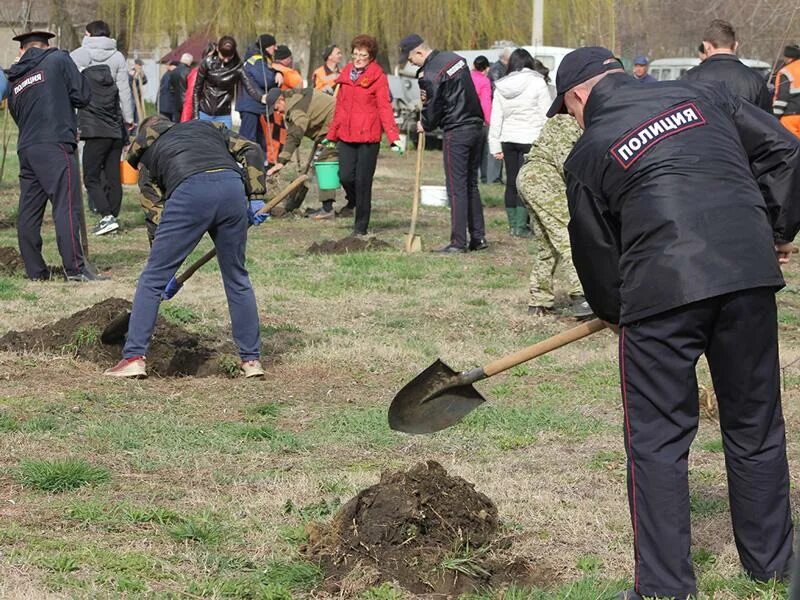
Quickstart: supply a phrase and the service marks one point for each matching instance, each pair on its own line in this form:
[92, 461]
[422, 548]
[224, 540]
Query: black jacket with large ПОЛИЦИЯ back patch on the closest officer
[677, 192]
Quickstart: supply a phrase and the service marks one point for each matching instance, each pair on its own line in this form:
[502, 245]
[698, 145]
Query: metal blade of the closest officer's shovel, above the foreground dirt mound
[434, 400]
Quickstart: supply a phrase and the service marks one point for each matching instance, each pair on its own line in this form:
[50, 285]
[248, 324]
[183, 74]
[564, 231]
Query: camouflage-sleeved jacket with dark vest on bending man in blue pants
[173, 152]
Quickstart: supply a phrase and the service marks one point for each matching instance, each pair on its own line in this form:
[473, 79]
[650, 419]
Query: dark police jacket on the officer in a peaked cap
[45, 87]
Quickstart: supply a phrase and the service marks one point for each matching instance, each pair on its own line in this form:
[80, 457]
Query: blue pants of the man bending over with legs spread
[213, 202]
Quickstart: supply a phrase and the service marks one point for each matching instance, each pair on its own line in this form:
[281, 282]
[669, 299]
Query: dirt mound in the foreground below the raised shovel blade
[426, 530]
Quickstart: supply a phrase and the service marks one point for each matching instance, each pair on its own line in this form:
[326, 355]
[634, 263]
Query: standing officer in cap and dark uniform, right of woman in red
[449, 101]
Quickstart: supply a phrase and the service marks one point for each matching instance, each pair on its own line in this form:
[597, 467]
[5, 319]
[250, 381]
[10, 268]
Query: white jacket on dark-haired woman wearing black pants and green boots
[519, 109]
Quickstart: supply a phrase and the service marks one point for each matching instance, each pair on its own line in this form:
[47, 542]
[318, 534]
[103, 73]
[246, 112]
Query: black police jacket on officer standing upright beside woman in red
[450, 97]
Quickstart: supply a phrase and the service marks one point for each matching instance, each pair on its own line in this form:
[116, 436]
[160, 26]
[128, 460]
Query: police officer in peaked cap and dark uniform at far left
[45, 88]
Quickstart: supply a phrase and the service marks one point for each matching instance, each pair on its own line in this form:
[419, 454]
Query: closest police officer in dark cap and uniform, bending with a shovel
[682, 208]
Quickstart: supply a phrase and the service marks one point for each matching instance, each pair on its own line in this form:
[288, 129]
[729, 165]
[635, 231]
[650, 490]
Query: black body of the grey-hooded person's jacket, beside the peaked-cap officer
[103, 117]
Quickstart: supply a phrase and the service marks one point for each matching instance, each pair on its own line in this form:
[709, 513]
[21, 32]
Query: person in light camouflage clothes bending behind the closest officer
[541, 186]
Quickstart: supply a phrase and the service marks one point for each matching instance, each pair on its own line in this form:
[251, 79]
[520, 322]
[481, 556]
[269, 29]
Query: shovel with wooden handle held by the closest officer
[440, 397]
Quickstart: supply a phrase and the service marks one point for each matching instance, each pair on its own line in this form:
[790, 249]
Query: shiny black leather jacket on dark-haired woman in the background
[215, 84]
